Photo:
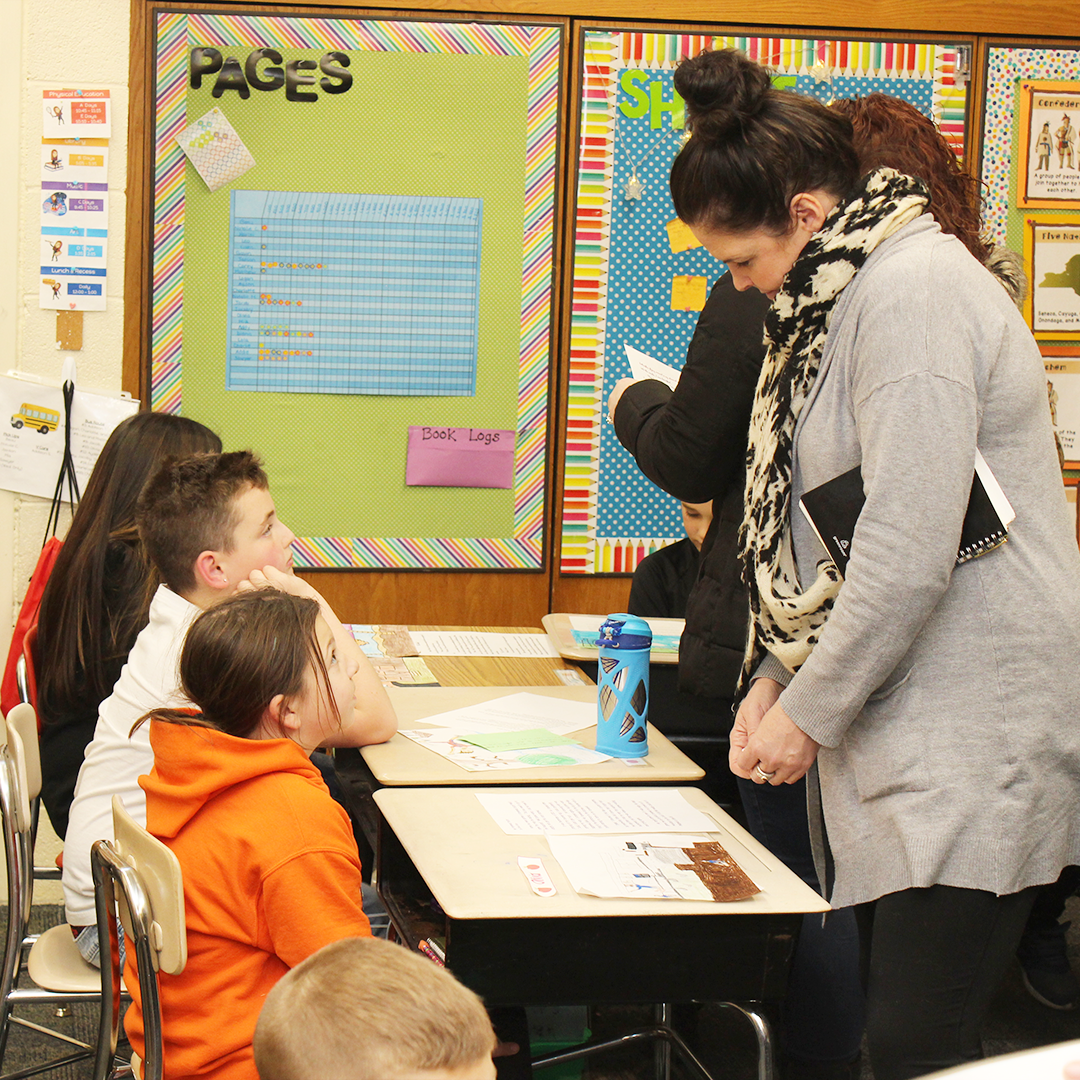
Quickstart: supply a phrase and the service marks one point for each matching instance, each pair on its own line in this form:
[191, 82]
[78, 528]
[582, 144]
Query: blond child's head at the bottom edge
[364, 1009]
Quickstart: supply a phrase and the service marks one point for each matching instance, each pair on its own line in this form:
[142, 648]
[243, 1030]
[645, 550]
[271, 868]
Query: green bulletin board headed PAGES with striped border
[276, 322]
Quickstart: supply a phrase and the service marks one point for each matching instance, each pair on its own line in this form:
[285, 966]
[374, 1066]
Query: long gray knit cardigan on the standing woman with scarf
[946, 698]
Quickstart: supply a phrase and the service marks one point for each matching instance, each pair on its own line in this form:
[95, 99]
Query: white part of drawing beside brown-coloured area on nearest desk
[639, 867]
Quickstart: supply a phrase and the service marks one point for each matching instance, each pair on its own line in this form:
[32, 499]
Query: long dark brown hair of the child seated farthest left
[97, 599]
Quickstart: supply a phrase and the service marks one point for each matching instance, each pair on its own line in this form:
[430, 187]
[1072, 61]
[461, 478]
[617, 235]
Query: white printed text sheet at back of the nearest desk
[649, 811]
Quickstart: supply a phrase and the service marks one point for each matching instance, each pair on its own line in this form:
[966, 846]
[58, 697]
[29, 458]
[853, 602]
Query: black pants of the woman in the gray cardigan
[933, 961]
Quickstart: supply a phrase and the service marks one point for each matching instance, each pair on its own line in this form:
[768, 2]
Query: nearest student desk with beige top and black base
[514, 948]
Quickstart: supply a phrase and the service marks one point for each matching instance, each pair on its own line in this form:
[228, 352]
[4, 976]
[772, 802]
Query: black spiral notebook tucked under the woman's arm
[834, 508]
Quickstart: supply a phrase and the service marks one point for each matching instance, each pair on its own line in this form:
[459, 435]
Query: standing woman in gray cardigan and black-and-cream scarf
[936, 699]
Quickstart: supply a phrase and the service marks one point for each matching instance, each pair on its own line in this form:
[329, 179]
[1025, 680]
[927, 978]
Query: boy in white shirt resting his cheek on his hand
[209, 524]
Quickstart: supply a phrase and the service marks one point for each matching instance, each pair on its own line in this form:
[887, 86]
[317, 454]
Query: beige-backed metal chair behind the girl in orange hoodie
[140, 880]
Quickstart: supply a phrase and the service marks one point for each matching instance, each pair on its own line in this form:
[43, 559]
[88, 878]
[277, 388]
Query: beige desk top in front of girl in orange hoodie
[471, 866]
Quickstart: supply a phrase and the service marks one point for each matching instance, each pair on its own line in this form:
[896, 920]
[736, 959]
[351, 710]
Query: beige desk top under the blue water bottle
[401, 762]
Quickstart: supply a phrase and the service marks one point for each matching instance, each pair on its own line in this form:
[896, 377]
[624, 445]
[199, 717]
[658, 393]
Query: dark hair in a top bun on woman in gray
[753, 147]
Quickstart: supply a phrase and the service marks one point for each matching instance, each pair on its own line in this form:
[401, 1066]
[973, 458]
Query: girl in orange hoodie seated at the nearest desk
[271, 867]
